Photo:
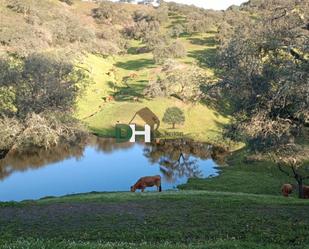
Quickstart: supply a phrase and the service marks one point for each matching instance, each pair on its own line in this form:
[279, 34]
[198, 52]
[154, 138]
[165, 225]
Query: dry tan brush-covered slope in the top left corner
[44, 25]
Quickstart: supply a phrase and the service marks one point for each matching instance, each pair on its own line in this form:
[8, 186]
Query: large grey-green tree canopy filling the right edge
[265, 78]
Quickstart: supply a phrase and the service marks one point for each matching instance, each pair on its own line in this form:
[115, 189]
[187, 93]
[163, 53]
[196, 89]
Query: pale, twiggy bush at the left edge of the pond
[43, 130]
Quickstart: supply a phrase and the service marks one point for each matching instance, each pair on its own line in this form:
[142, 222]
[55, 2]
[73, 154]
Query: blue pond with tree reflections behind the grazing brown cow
[102, 165]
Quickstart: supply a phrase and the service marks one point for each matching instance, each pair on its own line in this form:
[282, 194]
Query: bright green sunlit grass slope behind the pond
[202, 122]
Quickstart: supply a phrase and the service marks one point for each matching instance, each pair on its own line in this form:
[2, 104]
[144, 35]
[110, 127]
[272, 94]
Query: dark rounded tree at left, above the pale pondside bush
[42, 82]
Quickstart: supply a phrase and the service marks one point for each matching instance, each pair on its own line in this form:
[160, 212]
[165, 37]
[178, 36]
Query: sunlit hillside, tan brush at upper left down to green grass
[98, 44]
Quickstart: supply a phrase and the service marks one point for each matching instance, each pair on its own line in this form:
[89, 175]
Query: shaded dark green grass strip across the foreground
[184, 219]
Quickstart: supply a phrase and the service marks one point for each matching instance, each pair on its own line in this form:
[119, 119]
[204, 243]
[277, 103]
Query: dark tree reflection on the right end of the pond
[179, 158]
